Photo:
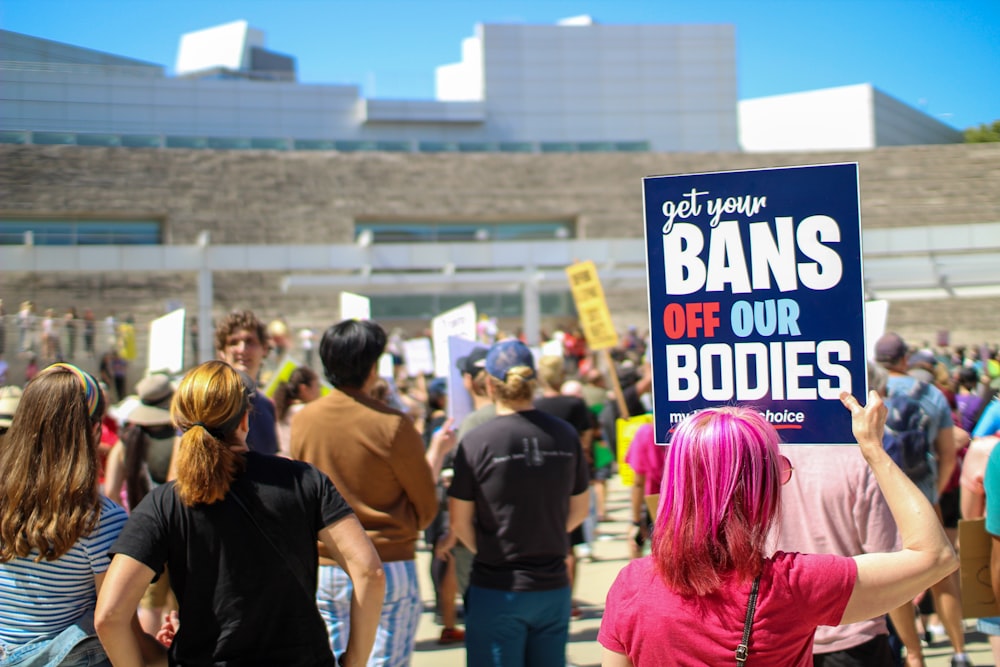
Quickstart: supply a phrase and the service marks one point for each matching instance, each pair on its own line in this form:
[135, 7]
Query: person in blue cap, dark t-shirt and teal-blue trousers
[520, 486]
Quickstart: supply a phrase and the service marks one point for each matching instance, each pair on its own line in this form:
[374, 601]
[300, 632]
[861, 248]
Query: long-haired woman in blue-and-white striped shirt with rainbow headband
[55, 526]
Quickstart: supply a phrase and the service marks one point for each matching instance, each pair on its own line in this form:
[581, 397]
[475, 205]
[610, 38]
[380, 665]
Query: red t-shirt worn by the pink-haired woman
[655, 627]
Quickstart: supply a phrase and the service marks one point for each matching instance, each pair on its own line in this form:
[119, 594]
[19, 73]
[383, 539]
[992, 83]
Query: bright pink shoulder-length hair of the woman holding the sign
[719, 497]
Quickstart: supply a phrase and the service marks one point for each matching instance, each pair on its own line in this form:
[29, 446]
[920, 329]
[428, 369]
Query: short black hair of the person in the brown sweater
[349, 350]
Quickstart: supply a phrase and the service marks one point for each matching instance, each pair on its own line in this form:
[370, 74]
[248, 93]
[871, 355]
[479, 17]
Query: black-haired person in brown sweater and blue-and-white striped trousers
[376, 459]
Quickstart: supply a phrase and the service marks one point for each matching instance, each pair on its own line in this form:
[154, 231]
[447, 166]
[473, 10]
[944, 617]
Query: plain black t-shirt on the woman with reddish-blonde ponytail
[241, 602]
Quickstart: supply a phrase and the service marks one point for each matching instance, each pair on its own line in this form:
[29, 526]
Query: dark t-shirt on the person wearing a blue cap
[520, 471]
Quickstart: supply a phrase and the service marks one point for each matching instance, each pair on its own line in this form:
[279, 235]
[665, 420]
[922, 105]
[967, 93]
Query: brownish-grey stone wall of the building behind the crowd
[316, 197]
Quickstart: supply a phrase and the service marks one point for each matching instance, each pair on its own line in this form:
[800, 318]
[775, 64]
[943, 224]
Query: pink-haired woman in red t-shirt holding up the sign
[711, 594]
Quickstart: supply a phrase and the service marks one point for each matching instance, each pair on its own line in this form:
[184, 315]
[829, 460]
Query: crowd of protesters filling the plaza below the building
[200, 521]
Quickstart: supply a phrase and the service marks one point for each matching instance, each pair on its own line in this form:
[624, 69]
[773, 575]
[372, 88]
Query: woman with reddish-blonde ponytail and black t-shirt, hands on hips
[238, 531]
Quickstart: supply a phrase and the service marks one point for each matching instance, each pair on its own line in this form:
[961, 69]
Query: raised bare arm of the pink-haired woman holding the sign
[886, 580]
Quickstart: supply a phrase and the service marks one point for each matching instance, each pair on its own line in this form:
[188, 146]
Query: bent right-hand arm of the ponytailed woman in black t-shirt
[349, 545]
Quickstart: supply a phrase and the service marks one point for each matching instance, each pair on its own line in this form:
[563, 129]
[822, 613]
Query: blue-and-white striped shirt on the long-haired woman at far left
[39, 600]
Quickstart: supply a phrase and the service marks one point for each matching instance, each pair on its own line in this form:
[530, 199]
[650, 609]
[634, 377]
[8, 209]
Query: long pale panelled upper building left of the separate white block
[577, 85]
